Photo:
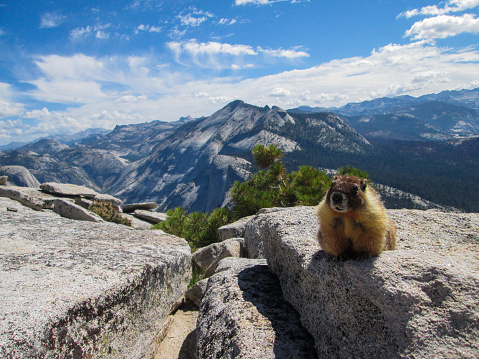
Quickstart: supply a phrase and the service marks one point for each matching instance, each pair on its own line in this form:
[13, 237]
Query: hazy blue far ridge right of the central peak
[440, 116]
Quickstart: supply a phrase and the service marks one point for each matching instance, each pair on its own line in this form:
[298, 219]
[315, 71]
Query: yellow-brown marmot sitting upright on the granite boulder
[352, 220]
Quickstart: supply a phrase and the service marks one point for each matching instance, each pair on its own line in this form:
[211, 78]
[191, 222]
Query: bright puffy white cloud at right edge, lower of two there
[440, 27]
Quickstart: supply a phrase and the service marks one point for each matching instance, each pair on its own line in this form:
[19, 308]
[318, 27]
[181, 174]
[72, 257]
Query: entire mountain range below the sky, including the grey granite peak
[425, 146]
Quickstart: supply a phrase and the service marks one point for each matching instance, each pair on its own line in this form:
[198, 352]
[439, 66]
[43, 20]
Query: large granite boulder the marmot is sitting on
[417, 301]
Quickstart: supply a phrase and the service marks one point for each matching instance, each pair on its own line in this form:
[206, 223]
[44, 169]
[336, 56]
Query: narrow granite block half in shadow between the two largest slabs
[243, 315]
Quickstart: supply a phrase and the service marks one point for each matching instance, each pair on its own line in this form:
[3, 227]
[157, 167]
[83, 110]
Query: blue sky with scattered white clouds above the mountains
[71, 65]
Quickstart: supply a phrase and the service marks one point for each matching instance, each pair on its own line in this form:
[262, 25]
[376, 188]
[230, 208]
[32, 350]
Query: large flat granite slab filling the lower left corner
[75, 289]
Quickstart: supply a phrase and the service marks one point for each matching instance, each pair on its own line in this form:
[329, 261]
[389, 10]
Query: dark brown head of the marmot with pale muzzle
[347, 193]
